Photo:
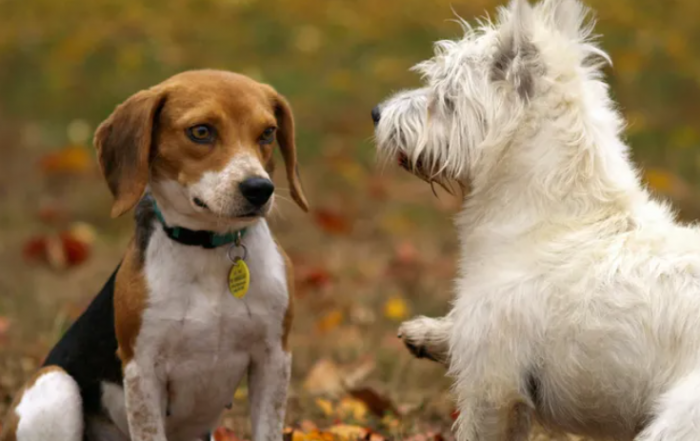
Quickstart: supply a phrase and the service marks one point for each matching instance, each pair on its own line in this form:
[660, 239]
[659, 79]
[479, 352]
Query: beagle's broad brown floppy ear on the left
[123, 142]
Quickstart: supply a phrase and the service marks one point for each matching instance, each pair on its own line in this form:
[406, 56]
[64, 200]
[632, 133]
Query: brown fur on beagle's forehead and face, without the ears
[239, 110]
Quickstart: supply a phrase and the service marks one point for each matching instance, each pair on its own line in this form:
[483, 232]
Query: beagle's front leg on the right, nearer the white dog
[268, 381]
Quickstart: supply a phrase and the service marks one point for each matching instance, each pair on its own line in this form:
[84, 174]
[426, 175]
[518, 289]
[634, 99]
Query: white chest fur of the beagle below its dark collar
[200, 339]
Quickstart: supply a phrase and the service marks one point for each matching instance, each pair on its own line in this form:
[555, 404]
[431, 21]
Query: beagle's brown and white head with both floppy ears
[202, 141]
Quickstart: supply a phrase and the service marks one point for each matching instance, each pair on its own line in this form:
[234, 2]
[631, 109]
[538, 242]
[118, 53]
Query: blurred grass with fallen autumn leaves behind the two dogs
[378, 246]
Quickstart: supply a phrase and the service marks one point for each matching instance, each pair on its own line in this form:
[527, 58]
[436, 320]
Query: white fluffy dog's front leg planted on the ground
[491, 360]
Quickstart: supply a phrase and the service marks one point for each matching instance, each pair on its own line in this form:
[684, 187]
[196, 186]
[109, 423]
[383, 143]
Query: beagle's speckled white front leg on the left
[145, 402]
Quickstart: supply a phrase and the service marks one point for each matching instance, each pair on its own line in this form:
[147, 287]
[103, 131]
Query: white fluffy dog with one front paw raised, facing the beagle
[578, 294]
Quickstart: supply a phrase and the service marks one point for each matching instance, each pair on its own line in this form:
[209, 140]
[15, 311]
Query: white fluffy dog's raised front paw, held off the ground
[427, 337]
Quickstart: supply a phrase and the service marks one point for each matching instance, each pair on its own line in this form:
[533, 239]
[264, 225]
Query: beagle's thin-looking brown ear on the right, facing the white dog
[285, 139]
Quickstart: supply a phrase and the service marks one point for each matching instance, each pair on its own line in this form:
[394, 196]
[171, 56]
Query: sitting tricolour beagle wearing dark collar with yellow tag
[203, 294]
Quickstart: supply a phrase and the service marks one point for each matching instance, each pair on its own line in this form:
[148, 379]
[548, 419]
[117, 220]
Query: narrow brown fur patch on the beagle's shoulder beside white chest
[129, 302]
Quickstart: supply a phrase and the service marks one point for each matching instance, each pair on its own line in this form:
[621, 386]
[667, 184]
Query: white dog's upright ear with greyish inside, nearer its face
[516, 60]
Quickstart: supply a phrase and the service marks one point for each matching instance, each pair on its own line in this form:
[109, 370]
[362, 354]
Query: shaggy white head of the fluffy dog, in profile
[478, 91]
